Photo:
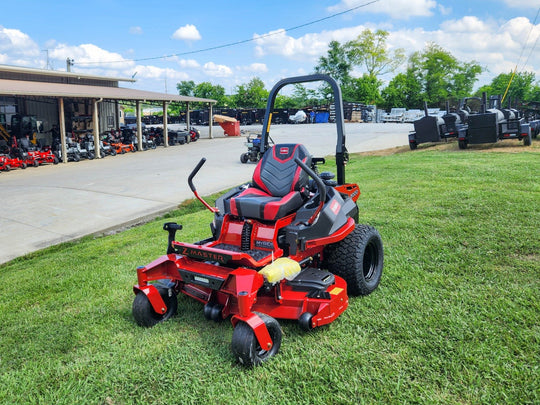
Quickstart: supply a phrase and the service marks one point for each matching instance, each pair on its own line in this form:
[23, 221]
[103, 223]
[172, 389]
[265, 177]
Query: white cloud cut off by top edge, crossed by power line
[398, 9]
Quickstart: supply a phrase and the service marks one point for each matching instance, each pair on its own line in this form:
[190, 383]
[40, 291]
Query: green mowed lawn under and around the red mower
[455, 320]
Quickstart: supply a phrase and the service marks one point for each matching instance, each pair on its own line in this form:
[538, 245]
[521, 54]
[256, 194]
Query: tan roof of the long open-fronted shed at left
[18, 81]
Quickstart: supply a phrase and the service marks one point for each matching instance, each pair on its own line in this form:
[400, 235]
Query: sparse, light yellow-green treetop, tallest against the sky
[370, 51]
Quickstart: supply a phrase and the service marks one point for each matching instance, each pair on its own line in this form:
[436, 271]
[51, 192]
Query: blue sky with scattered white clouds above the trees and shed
[137, 35]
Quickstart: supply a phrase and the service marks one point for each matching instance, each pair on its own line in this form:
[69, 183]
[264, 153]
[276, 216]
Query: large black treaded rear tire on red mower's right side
[358, 259]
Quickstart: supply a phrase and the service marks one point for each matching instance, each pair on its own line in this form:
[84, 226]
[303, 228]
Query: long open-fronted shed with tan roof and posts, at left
[75, 102]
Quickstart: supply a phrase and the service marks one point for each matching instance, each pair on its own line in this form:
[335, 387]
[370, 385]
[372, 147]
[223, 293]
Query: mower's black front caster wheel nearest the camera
[245, 346]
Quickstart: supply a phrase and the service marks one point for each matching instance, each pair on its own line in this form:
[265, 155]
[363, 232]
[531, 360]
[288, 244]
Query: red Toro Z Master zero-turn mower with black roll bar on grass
[286, 245]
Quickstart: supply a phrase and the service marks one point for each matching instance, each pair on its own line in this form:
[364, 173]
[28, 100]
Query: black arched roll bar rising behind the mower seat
[341, 151]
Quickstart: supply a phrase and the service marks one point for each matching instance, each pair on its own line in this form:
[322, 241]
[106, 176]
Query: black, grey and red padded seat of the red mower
[278, 186]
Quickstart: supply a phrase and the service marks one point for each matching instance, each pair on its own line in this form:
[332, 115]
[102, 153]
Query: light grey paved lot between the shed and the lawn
[51, 204]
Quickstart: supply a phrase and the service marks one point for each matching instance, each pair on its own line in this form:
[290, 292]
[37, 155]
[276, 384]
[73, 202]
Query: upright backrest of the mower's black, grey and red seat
[278, 174]
